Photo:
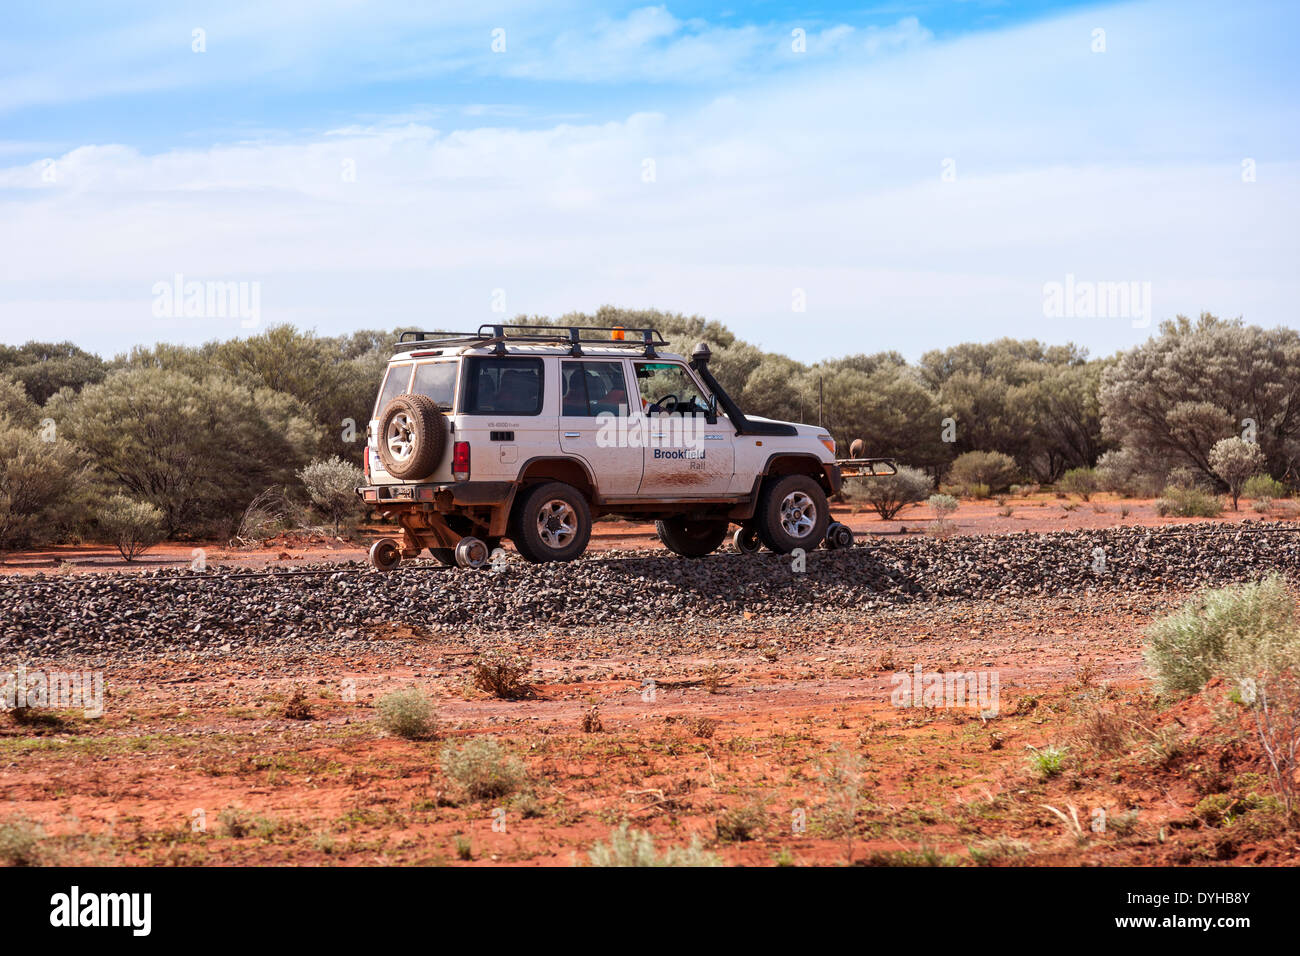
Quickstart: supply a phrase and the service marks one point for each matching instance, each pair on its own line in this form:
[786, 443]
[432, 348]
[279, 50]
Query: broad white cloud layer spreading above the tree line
[829, 183]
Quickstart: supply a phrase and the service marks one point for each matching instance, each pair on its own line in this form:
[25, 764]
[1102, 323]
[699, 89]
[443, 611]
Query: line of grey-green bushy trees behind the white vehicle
[194, 434]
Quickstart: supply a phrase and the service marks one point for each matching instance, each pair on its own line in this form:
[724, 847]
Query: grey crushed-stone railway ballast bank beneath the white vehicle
[98, 613]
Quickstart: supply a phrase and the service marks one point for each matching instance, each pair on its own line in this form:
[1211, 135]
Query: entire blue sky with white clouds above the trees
[913, 178]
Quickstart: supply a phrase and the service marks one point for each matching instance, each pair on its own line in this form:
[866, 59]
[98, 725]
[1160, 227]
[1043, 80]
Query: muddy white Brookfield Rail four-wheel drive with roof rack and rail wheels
[531, 432]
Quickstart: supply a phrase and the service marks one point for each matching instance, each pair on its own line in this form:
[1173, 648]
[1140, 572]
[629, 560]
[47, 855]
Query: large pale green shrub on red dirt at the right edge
[1189, 647]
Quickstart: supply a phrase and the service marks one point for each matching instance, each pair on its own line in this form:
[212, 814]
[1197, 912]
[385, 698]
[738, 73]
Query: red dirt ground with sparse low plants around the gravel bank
[764, 747]
